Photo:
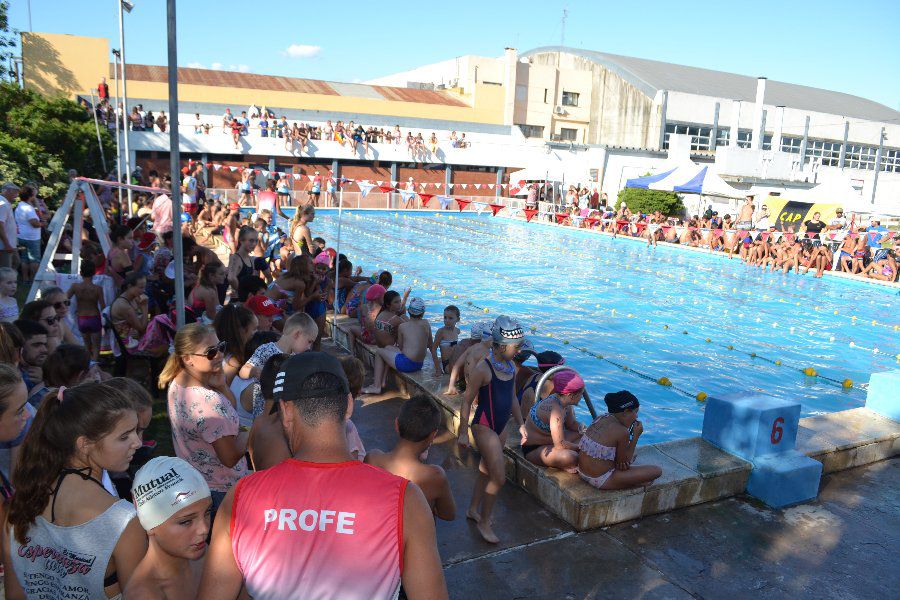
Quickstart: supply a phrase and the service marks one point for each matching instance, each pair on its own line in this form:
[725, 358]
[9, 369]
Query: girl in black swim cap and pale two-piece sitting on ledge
[606, 451]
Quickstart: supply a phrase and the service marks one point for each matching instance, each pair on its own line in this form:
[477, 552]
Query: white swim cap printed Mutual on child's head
[164, 486]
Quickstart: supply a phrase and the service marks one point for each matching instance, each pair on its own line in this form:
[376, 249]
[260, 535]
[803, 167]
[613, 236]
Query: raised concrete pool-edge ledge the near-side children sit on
[694, 471]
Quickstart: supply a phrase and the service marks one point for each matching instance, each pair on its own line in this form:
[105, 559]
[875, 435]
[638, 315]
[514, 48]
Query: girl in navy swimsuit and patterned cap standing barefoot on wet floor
[492, 381]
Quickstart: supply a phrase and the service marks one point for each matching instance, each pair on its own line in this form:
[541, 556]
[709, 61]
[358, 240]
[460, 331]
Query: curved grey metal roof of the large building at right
[649, 76]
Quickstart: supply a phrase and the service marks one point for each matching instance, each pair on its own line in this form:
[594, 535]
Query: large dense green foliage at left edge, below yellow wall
[42, 138]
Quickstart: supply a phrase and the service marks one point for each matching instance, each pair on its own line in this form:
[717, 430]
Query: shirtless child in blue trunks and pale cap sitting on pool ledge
[408, 356]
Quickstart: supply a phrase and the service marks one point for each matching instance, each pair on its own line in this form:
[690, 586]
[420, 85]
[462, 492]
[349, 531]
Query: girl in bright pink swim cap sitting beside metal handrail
[552, 430]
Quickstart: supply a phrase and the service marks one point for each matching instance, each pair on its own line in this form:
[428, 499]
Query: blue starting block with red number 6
[763, 430]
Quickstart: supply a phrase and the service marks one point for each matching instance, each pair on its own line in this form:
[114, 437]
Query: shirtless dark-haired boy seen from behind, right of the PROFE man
[417, 425]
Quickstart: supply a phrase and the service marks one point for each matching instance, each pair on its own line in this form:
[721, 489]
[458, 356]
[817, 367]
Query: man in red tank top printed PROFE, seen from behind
[320, 524]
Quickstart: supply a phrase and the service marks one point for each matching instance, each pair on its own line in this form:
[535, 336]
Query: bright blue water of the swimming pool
[632, 305]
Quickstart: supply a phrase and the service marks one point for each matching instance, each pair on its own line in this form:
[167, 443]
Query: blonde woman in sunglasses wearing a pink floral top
[205, 428]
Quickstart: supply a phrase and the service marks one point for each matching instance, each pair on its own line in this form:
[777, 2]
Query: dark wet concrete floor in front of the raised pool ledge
[840, 546]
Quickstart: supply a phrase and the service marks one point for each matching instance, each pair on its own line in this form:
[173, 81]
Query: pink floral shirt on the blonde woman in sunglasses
[199, 416]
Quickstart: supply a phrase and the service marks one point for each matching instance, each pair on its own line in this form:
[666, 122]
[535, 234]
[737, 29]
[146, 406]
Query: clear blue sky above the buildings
[844, 46]
